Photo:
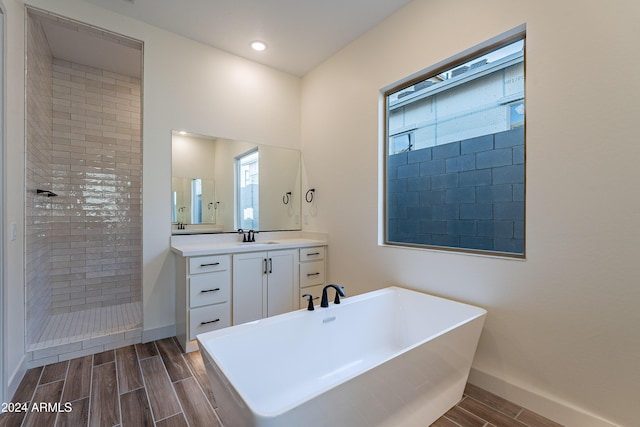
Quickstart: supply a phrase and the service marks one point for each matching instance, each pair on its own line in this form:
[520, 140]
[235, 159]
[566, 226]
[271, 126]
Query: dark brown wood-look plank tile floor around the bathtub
[154, 384]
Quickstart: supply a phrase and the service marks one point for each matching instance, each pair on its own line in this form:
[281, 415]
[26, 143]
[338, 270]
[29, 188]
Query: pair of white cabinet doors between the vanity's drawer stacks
[264, 284]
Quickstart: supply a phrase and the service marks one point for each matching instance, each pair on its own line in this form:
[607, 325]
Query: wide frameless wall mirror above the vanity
[219, 185]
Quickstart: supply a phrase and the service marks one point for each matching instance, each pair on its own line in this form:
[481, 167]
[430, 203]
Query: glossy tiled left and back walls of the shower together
[84, 144]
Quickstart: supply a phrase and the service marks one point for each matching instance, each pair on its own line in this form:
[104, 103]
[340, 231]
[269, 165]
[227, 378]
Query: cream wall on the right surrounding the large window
[562, 331]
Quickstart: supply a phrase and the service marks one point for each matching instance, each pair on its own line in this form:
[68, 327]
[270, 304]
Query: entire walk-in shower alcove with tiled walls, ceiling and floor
[83, 215]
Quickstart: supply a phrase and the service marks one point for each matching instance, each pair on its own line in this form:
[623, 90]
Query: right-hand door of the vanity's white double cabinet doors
[283, 280]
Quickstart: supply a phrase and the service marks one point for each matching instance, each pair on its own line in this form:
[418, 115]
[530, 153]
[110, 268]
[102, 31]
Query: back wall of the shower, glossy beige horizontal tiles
[97, 173]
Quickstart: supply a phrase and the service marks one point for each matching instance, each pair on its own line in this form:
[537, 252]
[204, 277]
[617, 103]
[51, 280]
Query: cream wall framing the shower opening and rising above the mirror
[188, 86]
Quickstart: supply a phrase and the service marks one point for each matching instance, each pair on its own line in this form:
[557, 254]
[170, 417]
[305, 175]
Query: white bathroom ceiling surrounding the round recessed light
[300, 34]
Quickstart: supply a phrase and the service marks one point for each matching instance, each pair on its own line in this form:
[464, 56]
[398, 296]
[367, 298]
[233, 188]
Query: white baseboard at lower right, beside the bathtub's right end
[560, 412]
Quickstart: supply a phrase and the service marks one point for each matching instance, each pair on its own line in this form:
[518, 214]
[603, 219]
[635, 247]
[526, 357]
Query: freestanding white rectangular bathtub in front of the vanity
[391, 357]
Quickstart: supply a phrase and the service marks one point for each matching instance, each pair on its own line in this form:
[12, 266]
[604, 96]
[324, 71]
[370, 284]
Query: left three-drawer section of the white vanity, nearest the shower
[203, 296]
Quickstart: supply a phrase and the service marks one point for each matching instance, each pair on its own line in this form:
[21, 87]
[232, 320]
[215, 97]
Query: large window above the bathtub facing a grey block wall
[455, 159]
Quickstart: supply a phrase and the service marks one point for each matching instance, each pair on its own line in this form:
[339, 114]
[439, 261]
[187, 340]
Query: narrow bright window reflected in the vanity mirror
[247, 190]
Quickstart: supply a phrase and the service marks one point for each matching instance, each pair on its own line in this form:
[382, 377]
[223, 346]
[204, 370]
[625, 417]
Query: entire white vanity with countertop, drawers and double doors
[221, 283]
